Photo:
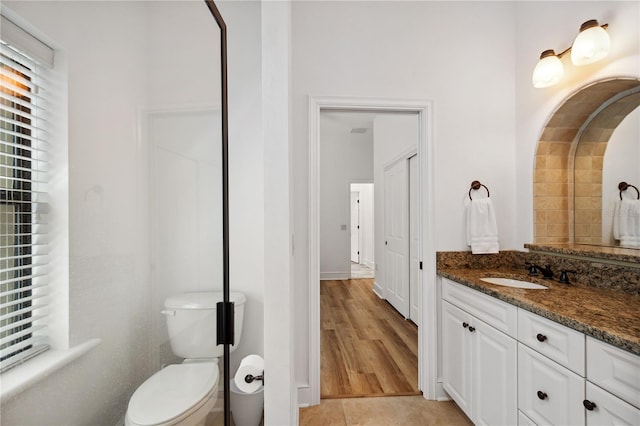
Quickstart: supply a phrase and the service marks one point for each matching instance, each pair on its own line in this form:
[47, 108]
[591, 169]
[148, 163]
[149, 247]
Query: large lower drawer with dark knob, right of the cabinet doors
[548, 393]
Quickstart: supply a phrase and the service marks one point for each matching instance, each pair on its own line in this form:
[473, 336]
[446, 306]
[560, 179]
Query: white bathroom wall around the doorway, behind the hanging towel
[413, 50]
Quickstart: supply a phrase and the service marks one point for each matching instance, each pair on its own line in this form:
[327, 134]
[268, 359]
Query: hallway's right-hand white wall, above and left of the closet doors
[395, 136]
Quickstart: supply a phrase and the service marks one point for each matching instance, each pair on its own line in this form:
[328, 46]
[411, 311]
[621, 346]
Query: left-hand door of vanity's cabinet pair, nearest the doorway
[456, 356]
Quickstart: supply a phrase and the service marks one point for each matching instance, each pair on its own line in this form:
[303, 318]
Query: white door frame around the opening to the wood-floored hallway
[428, 321]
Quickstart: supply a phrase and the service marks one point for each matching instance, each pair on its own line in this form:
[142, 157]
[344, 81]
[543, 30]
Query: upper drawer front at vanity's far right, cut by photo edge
[615, 370]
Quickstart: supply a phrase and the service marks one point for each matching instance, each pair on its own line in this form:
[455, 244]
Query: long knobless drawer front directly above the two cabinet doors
[494, 312]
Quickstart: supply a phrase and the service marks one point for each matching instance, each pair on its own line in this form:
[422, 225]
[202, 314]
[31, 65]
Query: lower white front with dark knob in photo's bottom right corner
[608, 409]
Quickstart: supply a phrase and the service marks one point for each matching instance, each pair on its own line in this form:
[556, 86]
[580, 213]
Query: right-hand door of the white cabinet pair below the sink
[495, 376]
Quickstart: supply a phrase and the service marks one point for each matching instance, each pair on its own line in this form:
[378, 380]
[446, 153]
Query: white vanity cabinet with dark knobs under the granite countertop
[506, 365]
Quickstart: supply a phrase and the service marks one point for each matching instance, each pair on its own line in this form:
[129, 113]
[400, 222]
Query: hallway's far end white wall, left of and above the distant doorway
[345, 157]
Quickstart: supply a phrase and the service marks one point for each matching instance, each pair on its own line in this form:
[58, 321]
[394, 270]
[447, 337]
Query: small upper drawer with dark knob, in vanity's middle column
[562, 344]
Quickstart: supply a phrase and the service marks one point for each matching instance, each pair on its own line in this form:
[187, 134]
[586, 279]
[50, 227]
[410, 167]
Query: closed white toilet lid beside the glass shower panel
[171, 392]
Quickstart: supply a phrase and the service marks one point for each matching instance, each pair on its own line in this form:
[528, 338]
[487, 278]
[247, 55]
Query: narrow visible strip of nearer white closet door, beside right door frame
[414, 242]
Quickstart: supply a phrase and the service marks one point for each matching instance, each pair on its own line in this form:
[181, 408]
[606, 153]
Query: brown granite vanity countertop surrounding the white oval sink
[607, 315]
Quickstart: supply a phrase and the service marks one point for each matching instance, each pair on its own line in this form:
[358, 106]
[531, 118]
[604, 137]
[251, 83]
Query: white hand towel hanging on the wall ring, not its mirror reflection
[482, 230]
